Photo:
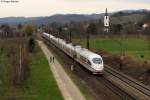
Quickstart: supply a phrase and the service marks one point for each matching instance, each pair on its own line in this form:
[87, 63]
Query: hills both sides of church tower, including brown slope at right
[116, 17]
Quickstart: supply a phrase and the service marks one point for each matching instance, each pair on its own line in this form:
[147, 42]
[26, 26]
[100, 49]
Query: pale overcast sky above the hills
[34, 8]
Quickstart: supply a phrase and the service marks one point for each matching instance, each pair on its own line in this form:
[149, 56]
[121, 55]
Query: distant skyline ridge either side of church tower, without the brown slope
[65, 18]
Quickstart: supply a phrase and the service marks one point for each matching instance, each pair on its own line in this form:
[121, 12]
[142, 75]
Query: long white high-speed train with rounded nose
[90, 60]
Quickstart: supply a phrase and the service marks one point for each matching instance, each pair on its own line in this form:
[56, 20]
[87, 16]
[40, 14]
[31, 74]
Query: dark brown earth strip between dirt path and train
[95, 87]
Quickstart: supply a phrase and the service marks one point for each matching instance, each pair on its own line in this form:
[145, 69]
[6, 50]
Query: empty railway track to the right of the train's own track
[134, 88]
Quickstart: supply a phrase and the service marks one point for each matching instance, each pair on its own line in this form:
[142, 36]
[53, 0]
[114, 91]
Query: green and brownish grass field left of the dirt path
[40, 84]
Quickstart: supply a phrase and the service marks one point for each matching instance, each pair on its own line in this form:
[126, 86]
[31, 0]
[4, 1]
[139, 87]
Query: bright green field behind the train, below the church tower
[133, 46]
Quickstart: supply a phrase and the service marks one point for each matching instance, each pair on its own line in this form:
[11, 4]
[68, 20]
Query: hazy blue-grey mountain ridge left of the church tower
[59, 18]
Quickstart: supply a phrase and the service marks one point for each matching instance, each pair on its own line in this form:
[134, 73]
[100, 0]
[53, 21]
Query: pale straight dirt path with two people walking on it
[68, 89]
